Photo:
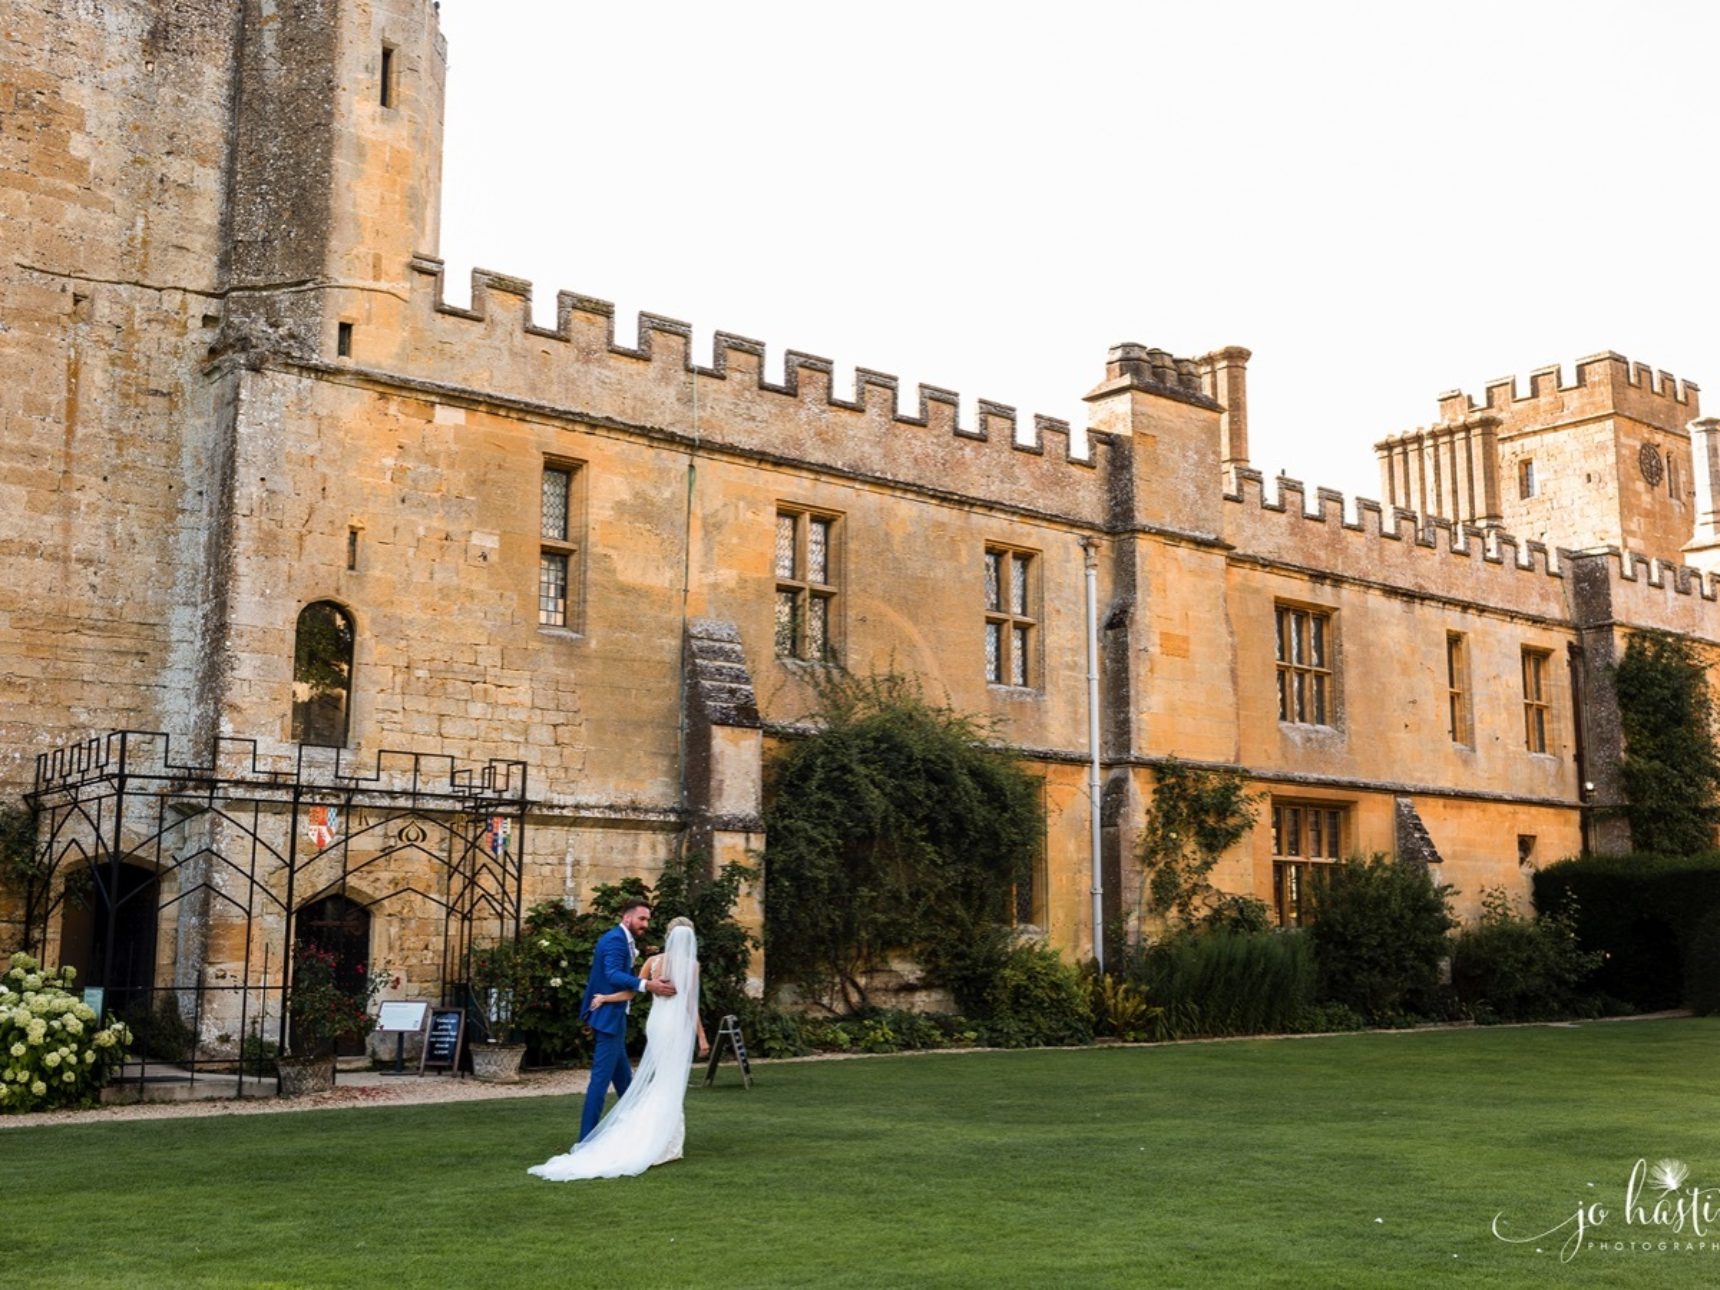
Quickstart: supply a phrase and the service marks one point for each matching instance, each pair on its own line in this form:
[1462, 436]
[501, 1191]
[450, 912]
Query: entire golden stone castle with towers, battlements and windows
[329, 599]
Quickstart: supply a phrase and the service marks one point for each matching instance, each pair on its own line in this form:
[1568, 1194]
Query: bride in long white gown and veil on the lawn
[649, 1124]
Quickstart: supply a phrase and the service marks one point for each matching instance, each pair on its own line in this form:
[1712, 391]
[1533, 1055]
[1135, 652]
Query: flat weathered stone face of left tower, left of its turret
[113, 150]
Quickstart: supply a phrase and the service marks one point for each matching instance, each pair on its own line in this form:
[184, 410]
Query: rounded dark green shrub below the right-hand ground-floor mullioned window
[1379, 935]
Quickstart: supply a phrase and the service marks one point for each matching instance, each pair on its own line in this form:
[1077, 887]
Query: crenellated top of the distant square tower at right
[1602, 383]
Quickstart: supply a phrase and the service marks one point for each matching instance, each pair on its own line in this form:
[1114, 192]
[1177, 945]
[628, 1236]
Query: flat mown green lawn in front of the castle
[1341, 1162]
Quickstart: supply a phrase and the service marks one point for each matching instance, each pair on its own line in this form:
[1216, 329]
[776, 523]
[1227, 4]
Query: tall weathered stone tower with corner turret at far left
[187, 188]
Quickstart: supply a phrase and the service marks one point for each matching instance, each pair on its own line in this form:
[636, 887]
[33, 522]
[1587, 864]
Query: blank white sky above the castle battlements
[1380, 200]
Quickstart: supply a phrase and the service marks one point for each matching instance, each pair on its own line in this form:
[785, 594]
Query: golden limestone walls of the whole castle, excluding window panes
[240, 386]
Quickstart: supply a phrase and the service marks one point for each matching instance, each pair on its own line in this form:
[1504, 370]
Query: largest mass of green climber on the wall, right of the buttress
[897, 828]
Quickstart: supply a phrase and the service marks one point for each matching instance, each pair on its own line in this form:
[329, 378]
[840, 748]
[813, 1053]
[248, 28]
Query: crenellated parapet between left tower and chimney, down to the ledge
[653, 379]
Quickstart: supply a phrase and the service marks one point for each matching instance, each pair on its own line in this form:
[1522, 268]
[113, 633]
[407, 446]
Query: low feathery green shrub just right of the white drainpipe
[1227, 983]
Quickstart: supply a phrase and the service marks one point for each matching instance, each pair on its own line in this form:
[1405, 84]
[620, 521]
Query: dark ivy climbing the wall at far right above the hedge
[1671, 763]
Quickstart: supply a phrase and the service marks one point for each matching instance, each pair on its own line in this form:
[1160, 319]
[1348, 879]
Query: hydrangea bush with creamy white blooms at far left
[52, 1048]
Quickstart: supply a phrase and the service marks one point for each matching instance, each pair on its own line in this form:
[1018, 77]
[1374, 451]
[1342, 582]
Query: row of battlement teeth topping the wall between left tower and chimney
[587, 328]
